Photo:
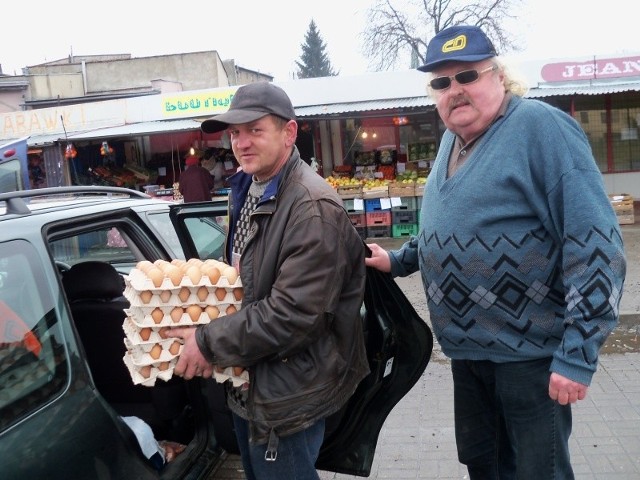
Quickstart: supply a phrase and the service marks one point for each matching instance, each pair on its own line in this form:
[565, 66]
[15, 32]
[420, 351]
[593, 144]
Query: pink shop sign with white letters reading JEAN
[592, 69]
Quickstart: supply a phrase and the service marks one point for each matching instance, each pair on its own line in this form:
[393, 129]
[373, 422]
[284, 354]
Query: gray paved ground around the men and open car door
[417, 440]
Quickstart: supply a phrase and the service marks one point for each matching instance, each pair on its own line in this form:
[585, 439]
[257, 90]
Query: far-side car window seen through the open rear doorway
[107, 244]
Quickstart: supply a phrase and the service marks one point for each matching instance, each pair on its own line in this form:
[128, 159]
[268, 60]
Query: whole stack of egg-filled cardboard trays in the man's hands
[179, 293]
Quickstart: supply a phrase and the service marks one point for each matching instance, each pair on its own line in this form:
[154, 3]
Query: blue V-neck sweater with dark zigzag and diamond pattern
[520, 251]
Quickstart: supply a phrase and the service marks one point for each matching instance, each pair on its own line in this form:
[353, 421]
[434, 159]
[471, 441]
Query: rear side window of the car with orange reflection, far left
[33, 361]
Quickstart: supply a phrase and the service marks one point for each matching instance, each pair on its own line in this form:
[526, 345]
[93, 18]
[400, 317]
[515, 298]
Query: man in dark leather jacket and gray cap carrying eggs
[301, 262]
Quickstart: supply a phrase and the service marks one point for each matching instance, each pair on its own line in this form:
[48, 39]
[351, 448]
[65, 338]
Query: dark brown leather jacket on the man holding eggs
[299, 331]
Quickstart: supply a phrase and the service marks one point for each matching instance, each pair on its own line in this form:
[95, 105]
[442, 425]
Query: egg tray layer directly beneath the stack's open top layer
[211, 295]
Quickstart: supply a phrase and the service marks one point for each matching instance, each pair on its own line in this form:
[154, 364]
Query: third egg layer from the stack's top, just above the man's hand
[178, 316]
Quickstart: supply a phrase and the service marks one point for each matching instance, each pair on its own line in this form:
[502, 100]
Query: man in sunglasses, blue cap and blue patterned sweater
[521, 258]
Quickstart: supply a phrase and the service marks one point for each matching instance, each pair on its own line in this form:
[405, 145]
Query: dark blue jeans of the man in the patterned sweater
[507, 426]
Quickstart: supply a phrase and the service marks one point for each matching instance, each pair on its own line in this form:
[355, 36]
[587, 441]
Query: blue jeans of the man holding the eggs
[296, 459]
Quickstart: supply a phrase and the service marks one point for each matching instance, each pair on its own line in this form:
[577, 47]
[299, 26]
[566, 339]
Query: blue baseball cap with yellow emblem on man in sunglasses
[461, 43]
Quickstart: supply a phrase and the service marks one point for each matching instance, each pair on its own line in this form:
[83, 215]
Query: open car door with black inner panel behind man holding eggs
[399, 344]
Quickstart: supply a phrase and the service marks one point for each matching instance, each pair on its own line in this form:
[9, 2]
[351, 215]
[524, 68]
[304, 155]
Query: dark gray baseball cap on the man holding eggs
[249, 103]
